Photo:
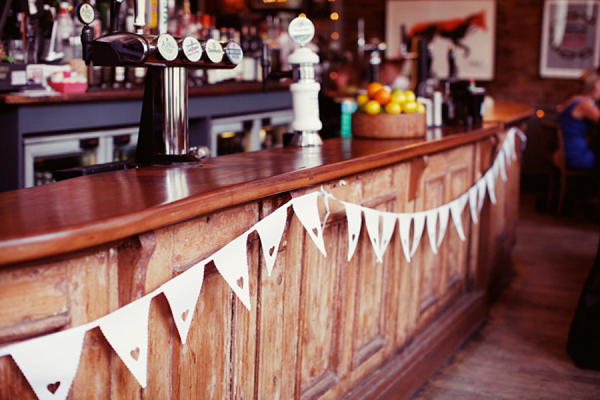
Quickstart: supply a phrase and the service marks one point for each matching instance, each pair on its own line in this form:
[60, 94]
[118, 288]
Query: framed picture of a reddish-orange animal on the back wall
[468, 26]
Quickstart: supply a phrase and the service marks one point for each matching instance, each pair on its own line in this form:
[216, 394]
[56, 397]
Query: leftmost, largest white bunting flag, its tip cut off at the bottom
[50, 362]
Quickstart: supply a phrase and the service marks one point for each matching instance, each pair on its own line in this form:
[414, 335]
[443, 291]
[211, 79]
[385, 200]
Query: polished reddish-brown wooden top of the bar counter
[91, 210]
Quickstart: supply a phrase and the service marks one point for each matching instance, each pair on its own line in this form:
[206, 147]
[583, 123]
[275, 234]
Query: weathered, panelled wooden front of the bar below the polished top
[318, 327]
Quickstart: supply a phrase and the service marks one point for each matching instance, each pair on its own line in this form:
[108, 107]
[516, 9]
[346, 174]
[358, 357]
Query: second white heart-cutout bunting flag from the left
[126, 329]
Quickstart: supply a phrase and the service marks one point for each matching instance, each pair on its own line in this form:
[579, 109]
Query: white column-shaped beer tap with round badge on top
[305, 90]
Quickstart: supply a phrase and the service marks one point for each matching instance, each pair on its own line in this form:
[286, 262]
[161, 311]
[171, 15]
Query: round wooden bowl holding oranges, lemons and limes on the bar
[388, 126]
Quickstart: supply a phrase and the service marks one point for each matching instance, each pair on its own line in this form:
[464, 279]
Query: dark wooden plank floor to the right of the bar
[521, 352]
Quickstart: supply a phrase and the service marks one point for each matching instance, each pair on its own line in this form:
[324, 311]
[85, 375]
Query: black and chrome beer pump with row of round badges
[163, 135]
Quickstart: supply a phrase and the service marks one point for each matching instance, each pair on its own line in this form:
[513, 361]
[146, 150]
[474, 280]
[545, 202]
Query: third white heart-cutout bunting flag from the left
[182, 294]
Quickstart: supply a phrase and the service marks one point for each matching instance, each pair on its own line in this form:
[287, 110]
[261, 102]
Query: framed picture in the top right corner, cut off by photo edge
[570, 38]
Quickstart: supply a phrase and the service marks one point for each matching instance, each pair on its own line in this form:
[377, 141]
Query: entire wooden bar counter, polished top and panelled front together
[74, 251]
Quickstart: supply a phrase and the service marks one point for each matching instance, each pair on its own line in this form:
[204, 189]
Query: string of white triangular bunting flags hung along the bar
[49, 362]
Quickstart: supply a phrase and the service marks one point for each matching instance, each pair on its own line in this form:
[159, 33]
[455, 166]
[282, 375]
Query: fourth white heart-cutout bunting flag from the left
[232, 263]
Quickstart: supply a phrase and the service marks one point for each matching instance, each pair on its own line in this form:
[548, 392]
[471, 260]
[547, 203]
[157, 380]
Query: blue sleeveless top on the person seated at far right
[578, 154]
